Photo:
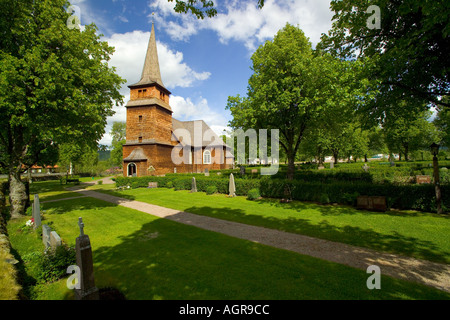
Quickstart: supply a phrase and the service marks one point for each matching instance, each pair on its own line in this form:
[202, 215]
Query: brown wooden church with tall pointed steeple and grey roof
[152, 133]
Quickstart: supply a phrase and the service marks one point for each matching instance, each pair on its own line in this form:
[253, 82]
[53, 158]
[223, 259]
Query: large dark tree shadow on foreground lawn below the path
[168, 260]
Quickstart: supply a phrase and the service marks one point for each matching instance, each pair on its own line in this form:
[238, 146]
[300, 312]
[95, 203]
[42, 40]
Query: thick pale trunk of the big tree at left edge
[17, 194]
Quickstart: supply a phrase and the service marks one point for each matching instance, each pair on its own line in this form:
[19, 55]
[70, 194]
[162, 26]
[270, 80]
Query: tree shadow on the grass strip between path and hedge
[368, 238]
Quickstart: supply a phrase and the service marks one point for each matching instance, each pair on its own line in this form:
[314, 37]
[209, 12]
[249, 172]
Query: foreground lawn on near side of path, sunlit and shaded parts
[151, 258]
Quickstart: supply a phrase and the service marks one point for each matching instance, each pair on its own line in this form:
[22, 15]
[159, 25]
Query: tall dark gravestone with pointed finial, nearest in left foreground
[88, 290]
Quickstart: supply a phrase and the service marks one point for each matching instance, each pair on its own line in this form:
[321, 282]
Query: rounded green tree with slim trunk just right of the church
[292, 87]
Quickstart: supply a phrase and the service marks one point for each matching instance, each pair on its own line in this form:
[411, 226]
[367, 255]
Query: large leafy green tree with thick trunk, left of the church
[55, 86]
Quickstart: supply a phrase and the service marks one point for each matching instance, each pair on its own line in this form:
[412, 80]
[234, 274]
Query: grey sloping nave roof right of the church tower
[208, 136]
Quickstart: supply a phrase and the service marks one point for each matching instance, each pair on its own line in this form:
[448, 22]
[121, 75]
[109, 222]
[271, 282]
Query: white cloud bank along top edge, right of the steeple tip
[244, 22]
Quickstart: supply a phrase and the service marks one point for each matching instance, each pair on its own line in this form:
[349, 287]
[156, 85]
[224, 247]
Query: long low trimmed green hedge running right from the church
[416, 197]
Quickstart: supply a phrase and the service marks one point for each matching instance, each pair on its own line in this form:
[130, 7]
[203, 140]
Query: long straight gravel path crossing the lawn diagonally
[422, 271]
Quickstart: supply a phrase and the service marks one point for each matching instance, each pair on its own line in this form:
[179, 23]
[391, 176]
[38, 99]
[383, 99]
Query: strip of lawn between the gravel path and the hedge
[417, 234]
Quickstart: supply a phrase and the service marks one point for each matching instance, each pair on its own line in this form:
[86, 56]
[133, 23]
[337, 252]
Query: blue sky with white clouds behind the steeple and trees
[202, 62]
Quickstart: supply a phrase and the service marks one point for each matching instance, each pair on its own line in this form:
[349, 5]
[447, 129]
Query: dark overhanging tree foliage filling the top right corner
[407, 55]
